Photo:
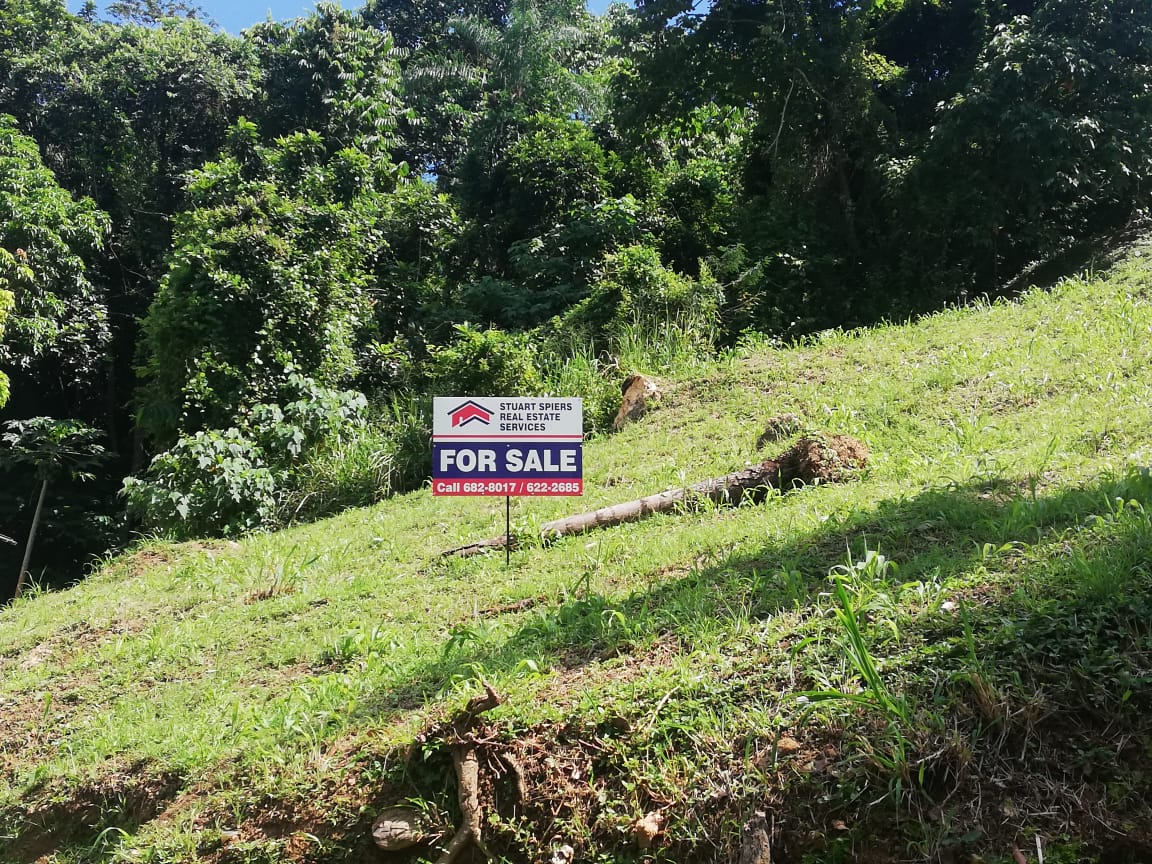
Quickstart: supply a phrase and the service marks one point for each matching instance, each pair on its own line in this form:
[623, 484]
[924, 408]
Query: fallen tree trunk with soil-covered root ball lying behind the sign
[813, 460]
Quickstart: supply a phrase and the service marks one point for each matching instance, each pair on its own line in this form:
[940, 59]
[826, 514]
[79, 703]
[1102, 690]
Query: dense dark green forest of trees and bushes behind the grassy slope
[516, 196]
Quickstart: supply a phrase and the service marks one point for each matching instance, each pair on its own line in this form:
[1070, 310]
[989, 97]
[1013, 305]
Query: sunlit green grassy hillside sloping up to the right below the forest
[949, 657]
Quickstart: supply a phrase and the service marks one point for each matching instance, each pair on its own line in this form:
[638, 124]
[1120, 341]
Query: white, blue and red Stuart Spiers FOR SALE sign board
[507, 446]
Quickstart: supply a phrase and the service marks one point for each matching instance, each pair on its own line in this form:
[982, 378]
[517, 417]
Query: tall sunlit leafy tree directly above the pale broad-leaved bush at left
[270, 274]
